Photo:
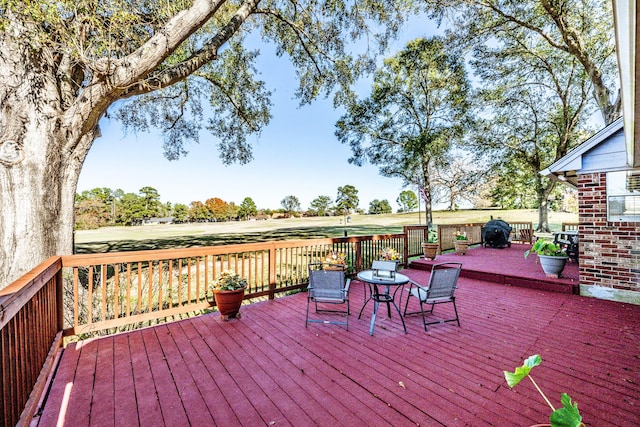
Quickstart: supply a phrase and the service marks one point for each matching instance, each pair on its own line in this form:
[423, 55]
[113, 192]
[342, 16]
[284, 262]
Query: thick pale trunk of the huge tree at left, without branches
[39, 169]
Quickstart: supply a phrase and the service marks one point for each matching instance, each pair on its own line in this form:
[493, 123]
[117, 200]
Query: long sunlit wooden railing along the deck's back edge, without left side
[121, 288]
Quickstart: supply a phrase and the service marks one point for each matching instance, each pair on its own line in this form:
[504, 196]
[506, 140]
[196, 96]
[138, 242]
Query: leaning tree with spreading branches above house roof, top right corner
[581, 32]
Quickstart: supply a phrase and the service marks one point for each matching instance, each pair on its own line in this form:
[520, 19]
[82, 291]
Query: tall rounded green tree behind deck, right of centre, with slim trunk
[416, 110]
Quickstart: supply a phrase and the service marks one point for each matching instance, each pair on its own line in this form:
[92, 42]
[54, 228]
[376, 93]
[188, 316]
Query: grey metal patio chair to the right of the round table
[440, 290]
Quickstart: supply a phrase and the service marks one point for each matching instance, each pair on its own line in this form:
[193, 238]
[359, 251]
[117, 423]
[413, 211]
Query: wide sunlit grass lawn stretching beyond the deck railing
[111, 239]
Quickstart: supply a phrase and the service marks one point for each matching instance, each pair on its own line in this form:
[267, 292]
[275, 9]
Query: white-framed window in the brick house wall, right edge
[623, 196]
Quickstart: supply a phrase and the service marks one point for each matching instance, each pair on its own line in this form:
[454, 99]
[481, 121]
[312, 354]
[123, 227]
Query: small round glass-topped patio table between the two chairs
[374, 282]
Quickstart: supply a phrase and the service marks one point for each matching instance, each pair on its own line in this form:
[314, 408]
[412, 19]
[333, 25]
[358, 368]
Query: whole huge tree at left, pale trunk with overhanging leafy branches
[65, 64]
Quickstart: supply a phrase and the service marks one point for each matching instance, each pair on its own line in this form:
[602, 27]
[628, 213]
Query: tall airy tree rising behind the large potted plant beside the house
[534, 107]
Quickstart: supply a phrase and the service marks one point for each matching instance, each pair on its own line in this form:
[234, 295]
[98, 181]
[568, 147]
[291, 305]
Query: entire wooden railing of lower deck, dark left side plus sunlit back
[78, 294]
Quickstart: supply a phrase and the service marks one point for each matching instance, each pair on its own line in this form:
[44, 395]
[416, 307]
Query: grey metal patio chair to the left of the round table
[328, 285]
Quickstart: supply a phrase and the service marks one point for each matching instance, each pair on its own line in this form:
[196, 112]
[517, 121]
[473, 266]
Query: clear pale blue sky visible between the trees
[296, 154]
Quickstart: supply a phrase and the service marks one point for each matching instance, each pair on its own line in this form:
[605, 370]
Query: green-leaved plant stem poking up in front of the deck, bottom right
[567, 416]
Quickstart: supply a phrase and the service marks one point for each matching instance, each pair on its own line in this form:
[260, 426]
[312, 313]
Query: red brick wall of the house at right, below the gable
[609, 251]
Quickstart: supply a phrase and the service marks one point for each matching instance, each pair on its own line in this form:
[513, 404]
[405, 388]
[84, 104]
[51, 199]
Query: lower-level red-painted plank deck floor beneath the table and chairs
[268, 369]
